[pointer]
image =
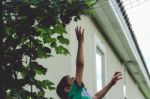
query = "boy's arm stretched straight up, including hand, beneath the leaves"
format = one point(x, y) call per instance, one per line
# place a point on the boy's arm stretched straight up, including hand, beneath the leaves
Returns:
point(80, 57)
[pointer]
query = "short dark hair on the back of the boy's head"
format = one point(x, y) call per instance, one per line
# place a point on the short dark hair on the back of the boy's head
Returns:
point(60, 88)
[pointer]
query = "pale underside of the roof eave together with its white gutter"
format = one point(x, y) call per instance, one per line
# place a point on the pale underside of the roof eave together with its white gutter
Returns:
point(111, 20)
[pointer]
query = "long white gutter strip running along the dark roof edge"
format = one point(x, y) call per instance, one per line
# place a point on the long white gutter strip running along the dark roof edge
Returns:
point(129, 38)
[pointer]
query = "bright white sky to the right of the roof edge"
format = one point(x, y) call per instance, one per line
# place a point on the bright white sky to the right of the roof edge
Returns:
point(139, 17)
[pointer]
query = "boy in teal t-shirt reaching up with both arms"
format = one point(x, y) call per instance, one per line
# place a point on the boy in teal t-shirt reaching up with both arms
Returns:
point(73, 88)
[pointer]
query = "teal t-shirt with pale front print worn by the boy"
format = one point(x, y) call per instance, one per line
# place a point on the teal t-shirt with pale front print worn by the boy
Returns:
point(78, 92)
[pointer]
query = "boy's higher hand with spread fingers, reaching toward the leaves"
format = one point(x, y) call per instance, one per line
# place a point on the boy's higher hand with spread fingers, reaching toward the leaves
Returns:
point(79, 34)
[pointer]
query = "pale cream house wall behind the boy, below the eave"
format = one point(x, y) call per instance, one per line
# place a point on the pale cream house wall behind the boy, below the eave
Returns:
point(59, 65)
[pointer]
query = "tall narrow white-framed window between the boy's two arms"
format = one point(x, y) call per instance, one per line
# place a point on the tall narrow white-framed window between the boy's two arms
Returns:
point(99, 63)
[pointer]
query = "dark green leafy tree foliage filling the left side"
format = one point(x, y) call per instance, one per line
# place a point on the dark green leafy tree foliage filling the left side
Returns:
point(30, 30)
